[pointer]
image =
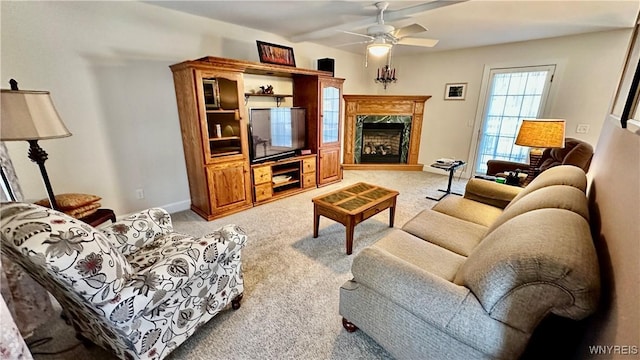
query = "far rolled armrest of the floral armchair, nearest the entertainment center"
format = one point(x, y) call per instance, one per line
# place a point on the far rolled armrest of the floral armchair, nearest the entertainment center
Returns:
point(136, 231)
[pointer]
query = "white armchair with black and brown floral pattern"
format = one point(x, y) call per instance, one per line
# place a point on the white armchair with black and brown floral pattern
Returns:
point(135, 287)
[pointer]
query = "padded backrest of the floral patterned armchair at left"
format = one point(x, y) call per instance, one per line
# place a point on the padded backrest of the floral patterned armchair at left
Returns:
point(74, 254)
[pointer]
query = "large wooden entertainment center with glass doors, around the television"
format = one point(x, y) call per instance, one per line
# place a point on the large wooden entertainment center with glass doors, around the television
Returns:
point(212, 107)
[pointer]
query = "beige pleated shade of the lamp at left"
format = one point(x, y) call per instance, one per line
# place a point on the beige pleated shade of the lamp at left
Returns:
point(29, 115)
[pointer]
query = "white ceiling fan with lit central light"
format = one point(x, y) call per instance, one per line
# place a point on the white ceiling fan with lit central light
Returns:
point(382, 37)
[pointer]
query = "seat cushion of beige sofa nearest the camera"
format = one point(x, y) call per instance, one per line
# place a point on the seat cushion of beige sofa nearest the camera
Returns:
point(425, 255)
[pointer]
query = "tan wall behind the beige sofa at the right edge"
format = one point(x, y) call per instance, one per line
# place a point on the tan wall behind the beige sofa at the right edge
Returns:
point(614, 201)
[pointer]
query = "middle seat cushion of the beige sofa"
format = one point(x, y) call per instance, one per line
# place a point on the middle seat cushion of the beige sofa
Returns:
point(446, 231)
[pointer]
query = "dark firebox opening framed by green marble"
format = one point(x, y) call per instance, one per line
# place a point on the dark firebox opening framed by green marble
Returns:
point(381, 143)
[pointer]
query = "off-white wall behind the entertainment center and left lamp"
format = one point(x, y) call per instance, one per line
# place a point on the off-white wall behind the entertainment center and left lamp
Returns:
point(107, 67)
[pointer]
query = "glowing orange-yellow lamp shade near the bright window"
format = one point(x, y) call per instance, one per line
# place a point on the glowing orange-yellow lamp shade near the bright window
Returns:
point(541, 133)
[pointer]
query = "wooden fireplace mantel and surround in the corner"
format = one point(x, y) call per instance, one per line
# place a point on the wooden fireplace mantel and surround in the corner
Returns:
point(412, 105)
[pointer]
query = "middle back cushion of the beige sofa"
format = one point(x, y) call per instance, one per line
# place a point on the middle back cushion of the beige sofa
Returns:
point(556, 196)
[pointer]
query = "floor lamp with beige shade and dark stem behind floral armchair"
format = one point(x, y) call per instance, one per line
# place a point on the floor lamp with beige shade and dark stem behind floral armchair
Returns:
point(30, 115)
